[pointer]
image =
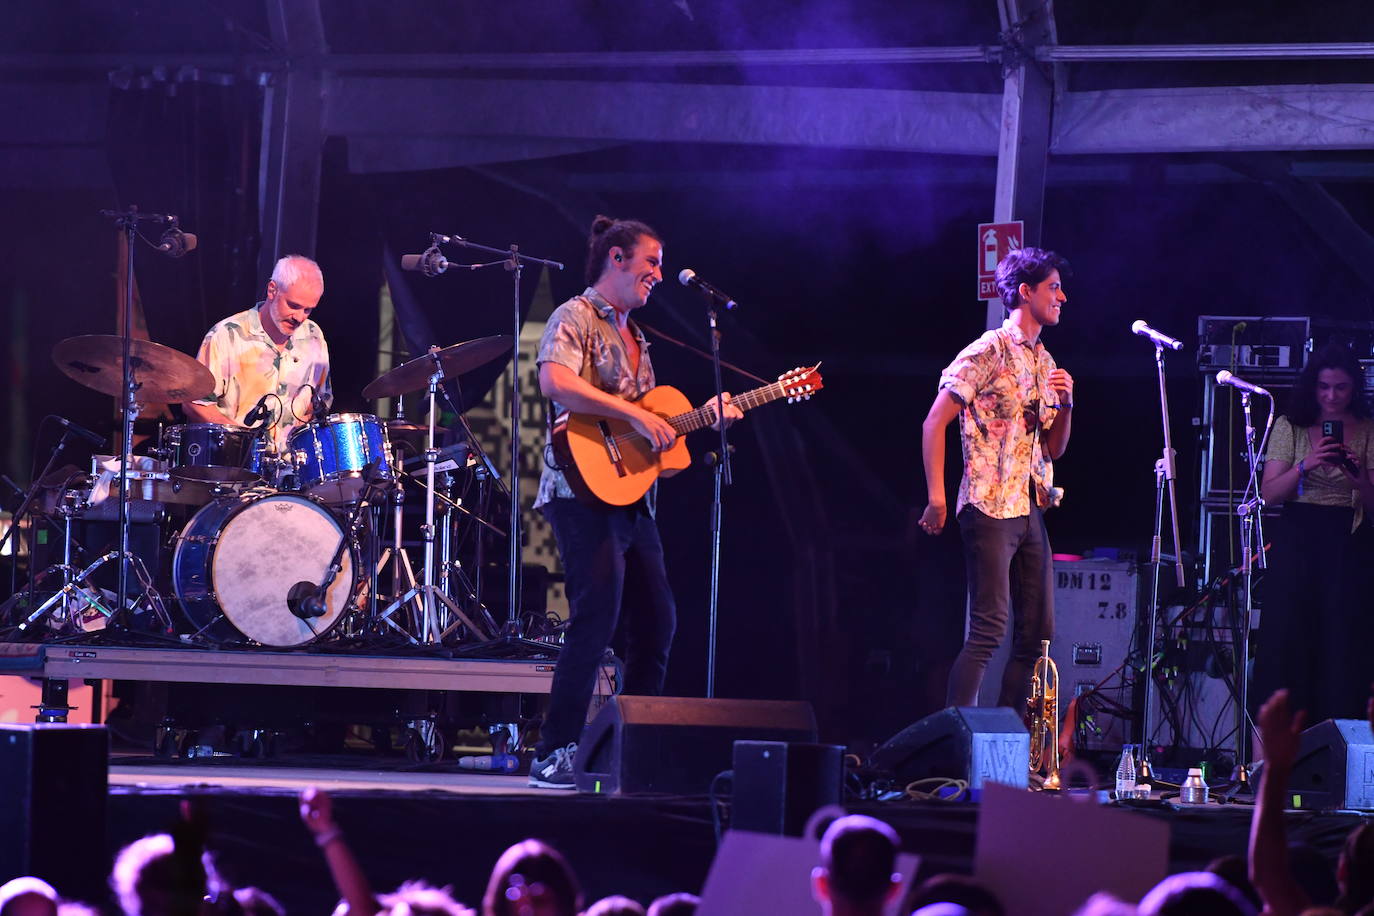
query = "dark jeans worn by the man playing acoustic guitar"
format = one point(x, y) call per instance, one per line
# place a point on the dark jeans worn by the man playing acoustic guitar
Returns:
point(600, 545)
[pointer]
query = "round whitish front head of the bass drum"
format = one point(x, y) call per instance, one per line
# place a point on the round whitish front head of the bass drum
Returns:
point(267, 549)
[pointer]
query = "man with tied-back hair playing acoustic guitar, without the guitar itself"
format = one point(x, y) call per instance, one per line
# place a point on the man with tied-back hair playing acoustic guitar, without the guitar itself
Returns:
point(594, 360)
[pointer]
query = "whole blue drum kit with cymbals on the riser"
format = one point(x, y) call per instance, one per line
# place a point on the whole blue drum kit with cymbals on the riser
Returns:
point(277, 549)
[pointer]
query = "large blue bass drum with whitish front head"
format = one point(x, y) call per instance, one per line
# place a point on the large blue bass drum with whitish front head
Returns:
point(240, 558)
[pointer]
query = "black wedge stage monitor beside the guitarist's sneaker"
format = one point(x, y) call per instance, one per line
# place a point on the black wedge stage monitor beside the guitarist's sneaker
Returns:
point(675, 744)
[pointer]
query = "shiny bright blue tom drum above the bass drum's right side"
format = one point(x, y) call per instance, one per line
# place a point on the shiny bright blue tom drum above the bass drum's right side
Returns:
point(330, 457)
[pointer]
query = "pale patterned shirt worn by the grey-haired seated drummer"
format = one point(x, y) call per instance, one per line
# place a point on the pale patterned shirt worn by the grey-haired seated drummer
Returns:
point(247, 366)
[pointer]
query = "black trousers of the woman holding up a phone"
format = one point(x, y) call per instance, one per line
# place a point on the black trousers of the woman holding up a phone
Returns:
point(1316, 615)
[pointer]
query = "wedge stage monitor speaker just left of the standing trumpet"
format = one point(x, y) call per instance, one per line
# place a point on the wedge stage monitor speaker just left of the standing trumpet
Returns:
point(976, 744)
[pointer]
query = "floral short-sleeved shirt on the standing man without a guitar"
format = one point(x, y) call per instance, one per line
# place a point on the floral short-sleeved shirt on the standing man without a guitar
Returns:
point(1008, 409)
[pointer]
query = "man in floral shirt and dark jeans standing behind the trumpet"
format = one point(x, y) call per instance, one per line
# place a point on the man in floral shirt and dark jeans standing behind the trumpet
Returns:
point(1016, 409)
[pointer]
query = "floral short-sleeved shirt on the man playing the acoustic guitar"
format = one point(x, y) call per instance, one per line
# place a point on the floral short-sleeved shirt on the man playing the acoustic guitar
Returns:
point(582, 336)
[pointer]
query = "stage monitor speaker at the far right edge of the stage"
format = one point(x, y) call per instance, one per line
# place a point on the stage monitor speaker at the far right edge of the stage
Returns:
point(1335, 767)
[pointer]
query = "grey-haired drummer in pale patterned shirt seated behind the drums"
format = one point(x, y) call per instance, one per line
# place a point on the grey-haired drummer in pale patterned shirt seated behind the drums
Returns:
point(271, 358)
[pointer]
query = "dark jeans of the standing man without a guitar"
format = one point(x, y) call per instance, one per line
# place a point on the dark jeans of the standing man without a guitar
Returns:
point(1011, 568)
